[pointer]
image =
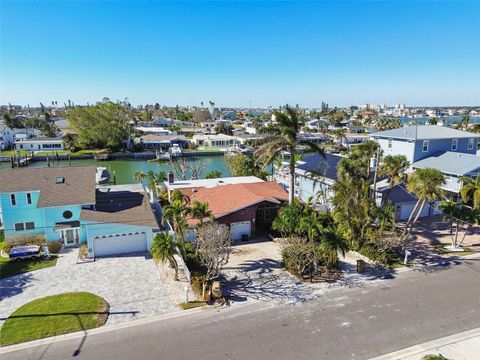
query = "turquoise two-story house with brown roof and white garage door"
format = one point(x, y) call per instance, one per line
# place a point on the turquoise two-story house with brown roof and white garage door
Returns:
point(65, 204)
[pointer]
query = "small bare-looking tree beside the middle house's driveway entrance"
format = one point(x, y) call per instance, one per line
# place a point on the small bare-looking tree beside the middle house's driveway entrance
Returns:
point(213, 248)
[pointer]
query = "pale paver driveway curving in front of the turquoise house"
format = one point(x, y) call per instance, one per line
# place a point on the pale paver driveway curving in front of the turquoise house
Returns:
point(130, 284)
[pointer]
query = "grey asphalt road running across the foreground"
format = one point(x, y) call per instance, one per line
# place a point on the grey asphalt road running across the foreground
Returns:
point(348, 323)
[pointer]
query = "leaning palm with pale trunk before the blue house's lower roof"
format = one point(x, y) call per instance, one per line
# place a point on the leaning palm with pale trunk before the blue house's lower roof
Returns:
point(425, 184)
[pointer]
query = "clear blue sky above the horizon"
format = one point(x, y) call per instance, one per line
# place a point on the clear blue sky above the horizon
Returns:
point(241, 53)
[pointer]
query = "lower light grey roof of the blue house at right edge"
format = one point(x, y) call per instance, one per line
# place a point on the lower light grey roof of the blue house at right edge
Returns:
point(451, 163)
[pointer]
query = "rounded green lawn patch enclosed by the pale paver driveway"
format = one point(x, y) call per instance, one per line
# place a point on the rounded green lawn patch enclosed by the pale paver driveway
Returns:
point(54, 315)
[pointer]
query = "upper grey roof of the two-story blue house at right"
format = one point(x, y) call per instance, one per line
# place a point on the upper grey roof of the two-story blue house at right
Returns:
point(421, 132)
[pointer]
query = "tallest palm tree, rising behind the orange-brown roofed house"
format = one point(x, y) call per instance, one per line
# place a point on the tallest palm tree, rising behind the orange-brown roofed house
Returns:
point(283, 137)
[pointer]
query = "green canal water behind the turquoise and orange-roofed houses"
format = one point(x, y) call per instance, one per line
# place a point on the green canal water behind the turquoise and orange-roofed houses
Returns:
point(124, 169)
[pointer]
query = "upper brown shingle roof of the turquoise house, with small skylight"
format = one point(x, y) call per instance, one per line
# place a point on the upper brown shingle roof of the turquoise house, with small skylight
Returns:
point(78, 188)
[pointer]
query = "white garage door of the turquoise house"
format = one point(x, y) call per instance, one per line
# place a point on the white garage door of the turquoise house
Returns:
point(120, 243)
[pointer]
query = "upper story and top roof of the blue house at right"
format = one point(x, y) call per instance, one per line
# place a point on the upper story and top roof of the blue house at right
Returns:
point(418, 142)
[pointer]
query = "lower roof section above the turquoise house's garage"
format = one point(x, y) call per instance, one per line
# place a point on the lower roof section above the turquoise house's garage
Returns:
point(122, 207)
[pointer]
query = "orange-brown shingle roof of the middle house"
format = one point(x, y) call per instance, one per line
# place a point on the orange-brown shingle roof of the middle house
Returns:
point(225, 199)
